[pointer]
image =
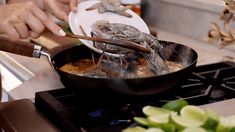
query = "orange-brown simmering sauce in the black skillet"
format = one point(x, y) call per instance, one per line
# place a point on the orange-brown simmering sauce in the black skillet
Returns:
point(88, 67)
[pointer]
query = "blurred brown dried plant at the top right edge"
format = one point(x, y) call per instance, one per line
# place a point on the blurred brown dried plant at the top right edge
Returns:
point(227, 36)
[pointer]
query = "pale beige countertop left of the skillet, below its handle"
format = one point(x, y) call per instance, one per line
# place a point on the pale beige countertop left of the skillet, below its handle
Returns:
point(45, 78)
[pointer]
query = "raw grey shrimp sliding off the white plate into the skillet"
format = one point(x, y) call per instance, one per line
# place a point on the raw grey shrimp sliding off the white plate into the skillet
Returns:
point(108, 30)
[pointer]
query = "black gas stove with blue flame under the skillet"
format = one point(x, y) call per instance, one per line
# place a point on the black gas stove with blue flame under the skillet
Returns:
point(109, 111)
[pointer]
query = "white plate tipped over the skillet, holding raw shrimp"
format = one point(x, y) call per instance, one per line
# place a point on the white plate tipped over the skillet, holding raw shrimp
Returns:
point(85, 19)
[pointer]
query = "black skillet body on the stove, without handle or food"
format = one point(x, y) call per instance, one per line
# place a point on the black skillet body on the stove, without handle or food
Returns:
point(138, 86)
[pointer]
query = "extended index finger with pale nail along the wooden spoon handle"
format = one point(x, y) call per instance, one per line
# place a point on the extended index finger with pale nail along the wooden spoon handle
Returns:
point(53, 27)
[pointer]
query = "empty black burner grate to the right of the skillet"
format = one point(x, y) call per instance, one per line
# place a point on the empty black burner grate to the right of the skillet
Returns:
point(214, 84)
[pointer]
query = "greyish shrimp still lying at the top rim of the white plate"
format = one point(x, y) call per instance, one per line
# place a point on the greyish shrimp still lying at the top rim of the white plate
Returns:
point(110, 6)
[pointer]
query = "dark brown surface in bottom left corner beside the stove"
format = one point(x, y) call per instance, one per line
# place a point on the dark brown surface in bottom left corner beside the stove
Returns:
point(22, 116)
